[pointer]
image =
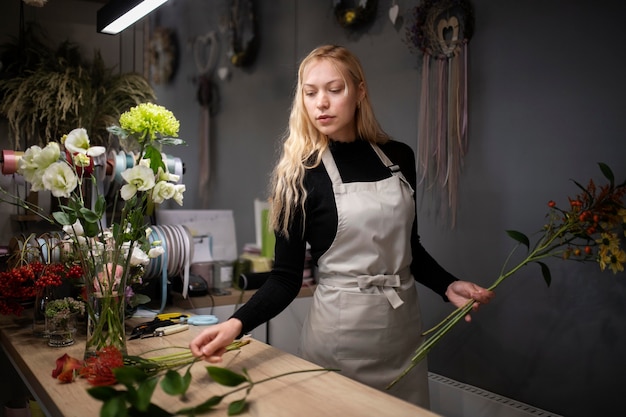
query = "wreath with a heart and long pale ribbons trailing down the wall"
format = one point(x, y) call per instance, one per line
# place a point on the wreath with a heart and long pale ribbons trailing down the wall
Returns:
point(441, 32)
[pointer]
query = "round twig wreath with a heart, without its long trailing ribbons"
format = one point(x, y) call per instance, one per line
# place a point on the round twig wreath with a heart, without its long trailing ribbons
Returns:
point(441, 26)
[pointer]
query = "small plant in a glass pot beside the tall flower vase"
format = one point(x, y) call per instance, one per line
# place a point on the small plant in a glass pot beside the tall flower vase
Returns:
point(61, 315)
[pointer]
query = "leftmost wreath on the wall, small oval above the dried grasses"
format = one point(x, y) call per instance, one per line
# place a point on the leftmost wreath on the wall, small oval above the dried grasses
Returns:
point(163, 55)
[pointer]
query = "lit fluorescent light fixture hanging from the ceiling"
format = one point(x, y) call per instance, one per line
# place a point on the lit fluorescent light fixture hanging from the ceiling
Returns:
point(117, 15)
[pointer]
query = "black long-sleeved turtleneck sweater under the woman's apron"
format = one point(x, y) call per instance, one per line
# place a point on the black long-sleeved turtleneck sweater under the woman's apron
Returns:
point(356, 162)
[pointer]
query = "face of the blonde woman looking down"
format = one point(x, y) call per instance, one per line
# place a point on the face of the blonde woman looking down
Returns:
point(329, 102)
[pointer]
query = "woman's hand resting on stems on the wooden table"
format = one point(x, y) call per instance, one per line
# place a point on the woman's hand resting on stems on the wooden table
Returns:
point(211, 343)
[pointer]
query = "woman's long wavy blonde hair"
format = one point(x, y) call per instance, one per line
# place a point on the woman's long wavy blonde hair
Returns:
point(304, 144)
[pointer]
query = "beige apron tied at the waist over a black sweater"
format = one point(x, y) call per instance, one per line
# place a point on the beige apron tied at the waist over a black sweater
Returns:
point(365, 317)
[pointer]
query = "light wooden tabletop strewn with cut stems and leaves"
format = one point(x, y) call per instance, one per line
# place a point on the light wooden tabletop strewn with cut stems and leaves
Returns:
point(302, 395)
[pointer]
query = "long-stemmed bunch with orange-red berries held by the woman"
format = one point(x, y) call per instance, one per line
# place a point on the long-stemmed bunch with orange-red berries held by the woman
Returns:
point(590, 229)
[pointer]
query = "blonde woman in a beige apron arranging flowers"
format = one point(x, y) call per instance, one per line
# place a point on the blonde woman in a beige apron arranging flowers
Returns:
point(346, 188)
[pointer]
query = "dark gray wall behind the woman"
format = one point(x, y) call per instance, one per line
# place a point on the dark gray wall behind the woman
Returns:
point(546, 104)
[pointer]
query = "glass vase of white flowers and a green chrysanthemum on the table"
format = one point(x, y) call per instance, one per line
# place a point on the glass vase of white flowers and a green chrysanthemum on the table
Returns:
point(107, 253)
